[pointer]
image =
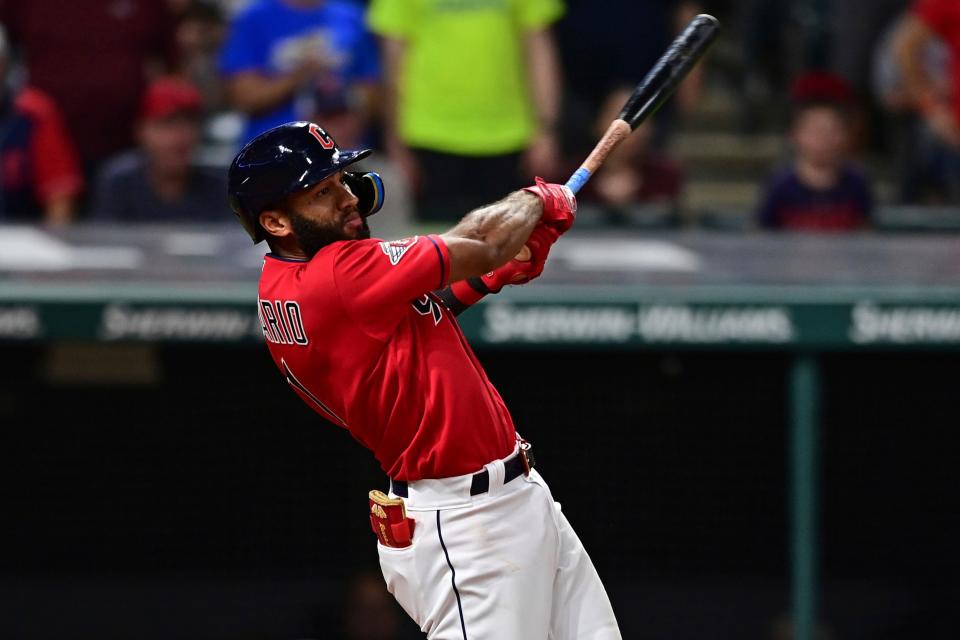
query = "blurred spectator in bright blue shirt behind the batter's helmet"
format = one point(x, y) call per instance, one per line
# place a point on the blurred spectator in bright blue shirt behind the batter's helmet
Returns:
point(290, 60)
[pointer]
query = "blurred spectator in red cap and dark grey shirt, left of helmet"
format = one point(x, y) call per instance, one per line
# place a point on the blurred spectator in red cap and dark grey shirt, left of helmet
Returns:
point(158, 181)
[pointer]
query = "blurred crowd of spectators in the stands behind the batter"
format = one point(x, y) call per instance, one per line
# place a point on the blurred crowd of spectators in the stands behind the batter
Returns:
point(130, 110)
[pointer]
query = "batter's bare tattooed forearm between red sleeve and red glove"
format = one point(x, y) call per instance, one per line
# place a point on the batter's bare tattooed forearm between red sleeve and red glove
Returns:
point(489, 237)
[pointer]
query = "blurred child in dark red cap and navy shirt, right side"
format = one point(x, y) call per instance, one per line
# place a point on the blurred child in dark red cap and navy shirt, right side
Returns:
point(821, 189)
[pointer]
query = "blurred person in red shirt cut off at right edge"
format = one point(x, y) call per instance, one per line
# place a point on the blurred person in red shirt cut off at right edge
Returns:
point(929, 20)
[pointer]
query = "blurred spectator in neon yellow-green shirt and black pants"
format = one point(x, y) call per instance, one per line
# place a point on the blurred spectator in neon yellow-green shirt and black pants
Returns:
point(474, 97)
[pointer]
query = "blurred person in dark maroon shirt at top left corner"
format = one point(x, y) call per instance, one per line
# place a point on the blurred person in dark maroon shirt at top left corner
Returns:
point(93, 58)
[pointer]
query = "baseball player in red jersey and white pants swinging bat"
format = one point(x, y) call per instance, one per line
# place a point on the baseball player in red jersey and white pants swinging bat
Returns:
point(470, 540)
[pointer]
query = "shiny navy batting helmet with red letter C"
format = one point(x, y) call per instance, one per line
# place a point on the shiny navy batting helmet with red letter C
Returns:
point(286, 159)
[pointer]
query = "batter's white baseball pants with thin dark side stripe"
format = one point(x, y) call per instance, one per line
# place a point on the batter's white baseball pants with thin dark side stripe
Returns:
point(502, 565)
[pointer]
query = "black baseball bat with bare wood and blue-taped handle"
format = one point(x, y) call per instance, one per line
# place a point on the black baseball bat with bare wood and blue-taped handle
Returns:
point(656, 88)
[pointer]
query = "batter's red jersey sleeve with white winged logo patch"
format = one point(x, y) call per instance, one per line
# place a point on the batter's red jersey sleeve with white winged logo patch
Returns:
point(377, 280)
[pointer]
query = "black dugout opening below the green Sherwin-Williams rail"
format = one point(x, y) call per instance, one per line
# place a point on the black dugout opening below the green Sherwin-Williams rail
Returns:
point(211, 503)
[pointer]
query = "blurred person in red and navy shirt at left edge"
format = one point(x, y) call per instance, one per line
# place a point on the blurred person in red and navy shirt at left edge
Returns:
point(40, 176)
